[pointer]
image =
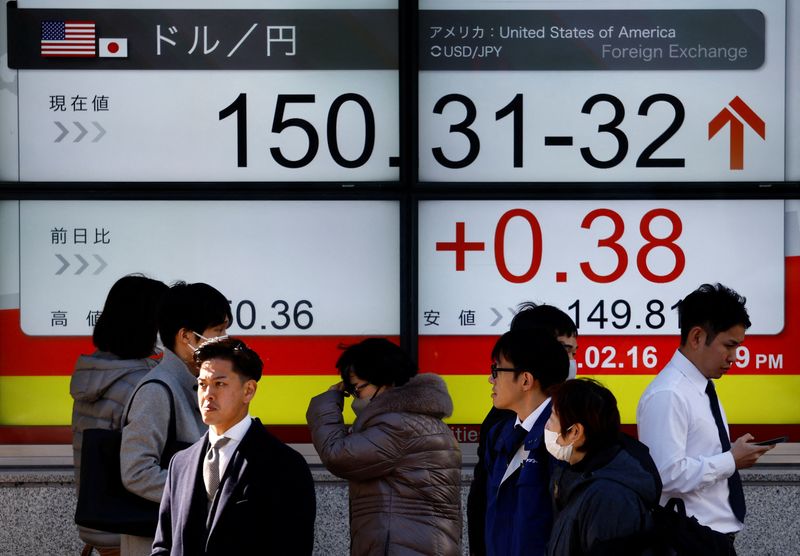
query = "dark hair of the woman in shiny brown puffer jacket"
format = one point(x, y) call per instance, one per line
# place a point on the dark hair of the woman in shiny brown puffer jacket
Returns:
point(378, 361)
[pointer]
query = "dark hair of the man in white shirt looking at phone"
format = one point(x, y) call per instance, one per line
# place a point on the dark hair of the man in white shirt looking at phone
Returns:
point(713, 308)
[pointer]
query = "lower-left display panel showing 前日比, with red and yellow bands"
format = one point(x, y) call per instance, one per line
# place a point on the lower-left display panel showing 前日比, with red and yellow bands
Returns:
point(303, 277)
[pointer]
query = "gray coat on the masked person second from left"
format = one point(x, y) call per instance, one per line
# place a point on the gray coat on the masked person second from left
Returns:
point(145, 432)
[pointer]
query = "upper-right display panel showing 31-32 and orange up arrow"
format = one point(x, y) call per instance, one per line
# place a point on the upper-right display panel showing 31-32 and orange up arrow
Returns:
point(608, 91)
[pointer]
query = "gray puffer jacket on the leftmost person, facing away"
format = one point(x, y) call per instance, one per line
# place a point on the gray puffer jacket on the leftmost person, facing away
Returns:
point(100, 387)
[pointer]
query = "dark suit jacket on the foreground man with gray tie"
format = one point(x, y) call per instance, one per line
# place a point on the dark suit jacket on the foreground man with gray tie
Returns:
point(265, 505)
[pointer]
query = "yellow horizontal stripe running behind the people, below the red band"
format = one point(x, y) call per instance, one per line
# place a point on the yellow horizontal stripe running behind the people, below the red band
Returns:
point(282, 400)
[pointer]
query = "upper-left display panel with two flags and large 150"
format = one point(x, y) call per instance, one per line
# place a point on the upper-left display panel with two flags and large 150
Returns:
point(198, 92)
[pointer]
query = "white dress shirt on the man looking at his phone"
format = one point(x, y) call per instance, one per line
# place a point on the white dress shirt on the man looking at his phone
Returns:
point(675, 422)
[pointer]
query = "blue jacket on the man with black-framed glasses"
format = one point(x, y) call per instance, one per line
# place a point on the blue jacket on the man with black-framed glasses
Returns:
point(519, 513)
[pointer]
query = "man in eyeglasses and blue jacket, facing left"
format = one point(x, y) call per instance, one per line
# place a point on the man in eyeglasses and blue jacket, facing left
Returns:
point(518, 509)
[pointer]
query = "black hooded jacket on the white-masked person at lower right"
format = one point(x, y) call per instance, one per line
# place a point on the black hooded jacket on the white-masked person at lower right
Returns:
point(604, 496)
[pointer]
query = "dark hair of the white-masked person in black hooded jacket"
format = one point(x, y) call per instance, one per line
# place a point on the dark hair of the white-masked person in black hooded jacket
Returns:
point(586, 401)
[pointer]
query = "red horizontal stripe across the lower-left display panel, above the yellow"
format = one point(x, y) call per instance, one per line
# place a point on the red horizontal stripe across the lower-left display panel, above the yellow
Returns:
point(23, 355)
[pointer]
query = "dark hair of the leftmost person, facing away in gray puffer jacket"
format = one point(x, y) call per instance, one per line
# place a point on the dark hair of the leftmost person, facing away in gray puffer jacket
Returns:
point(128, 324)
